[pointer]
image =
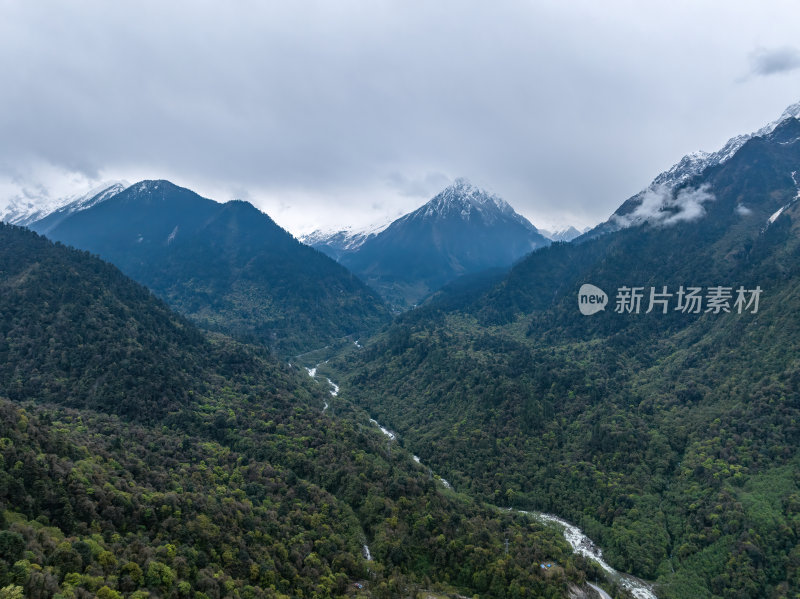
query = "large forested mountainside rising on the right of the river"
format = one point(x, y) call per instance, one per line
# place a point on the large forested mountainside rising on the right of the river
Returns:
point(671, 438)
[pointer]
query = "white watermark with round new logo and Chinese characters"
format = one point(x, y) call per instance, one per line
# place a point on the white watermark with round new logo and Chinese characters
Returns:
point(718, 299)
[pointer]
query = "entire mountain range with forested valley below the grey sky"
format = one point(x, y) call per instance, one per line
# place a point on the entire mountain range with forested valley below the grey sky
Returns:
point(642, 381)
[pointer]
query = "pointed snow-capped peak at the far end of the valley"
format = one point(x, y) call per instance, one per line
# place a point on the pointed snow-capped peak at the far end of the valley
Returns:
point(461, 231)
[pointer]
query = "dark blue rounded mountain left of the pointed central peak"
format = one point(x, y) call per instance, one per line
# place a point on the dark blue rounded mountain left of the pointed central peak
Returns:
point(228, 266)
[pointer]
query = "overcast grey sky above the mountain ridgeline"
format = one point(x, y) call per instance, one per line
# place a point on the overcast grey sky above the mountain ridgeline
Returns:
point(338, 112)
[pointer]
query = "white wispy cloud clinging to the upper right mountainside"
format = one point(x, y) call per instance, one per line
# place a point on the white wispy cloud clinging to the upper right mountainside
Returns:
point(661, 206)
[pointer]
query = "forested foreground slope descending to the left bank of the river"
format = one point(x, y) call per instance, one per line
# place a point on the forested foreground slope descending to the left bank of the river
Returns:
point(243, 485)
